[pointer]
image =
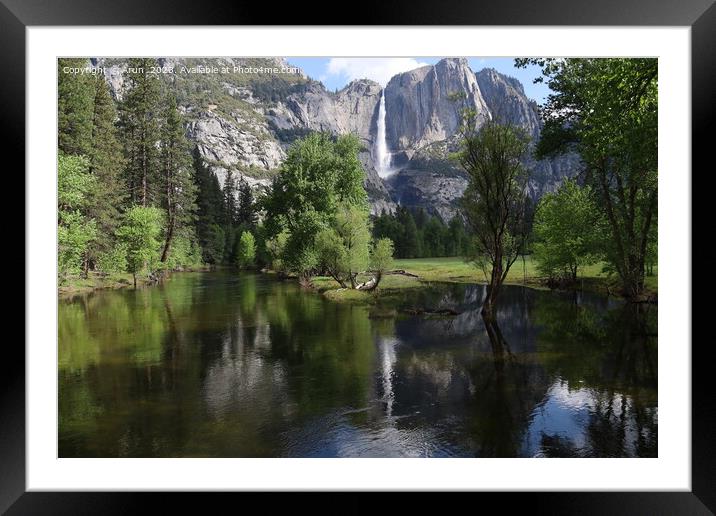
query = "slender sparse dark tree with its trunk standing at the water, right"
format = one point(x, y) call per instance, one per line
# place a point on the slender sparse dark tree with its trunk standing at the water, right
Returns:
point(494, 202)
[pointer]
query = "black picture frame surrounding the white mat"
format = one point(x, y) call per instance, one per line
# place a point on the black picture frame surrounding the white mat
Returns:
point(700, 15)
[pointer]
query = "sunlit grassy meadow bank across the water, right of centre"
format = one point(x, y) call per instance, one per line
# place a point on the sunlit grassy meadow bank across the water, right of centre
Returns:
point(455, 270)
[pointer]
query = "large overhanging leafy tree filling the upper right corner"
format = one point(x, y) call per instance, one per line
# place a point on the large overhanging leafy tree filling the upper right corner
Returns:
point(607, 110)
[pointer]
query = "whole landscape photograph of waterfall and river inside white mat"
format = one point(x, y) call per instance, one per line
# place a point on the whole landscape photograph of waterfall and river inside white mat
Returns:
point(345, 257)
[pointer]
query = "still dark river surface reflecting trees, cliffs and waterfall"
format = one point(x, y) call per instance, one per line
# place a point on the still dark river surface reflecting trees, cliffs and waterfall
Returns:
point(227, 365)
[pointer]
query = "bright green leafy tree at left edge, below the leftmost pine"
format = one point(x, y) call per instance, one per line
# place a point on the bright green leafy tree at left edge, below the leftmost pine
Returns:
point(75, 230)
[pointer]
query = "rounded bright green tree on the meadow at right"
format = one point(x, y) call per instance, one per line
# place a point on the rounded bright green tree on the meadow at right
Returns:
point(567, 231)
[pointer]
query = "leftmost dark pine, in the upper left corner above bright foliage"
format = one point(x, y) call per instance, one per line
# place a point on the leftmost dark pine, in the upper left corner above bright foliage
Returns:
point(74, 107)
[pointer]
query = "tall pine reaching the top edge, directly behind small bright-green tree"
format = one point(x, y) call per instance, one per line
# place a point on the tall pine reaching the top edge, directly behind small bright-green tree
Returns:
point(140, 121)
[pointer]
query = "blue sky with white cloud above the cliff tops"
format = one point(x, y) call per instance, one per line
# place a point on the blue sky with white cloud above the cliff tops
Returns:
point(335, 73)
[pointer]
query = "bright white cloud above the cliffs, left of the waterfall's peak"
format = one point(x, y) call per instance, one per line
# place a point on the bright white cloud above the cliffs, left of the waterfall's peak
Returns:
point(375, 68)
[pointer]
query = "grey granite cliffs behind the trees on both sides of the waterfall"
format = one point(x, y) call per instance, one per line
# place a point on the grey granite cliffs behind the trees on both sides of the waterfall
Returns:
point(245, 124)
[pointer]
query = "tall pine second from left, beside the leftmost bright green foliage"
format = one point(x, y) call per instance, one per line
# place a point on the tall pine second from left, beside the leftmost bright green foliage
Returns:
point(105, 164)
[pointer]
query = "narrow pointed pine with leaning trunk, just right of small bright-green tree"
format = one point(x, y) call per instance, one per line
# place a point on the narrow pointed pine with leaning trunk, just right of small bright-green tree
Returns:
point(178, 191)
